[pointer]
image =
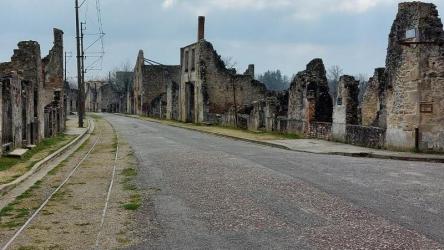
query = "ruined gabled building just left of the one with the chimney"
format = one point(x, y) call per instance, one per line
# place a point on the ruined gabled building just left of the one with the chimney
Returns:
point(150, 86)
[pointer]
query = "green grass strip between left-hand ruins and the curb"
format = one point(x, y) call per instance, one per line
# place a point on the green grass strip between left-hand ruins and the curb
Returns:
point(8, 162)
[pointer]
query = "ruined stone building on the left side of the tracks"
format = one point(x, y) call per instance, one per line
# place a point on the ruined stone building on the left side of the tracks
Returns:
point(32, 104)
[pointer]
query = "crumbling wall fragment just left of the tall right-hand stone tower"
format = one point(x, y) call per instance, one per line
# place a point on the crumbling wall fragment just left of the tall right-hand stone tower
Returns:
point(373, 106)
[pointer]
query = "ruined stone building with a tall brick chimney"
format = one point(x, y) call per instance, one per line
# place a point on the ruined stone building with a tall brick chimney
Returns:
point(207, 88)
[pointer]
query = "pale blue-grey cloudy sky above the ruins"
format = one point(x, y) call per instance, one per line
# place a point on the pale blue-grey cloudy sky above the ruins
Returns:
point(272, 34)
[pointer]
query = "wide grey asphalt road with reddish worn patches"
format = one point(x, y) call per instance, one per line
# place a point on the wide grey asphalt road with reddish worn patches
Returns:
point(209, 192)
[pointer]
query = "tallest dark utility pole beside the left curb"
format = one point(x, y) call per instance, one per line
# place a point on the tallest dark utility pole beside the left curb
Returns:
point(80, 83)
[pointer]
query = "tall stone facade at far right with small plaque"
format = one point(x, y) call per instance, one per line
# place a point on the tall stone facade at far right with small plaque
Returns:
point(415, 71)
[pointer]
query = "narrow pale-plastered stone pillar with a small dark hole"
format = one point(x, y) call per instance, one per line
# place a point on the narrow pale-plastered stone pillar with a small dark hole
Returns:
point(346, 106)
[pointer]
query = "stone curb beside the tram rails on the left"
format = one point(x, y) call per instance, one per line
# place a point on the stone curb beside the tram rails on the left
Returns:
point(9, 186)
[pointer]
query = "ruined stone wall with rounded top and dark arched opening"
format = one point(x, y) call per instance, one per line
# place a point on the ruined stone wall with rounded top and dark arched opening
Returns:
point(309, 99)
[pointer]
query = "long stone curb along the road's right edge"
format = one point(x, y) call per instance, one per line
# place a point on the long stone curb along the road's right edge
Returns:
point(355, 155)
